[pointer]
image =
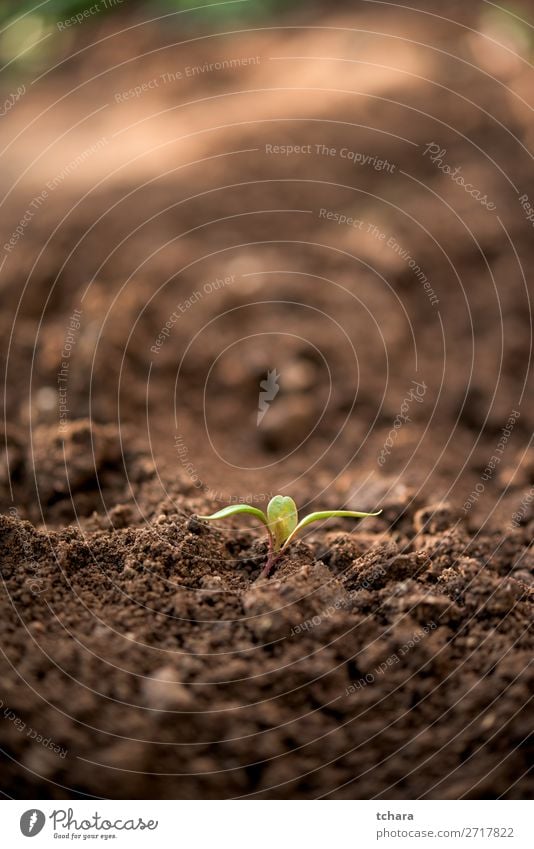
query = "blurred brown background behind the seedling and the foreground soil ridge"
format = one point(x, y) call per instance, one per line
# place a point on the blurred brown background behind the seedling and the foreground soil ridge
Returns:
point(326, 197)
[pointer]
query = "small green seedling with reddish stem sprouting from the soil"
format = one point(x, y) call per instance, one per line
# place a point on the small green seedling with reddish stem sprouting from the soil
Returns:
point(282, 523)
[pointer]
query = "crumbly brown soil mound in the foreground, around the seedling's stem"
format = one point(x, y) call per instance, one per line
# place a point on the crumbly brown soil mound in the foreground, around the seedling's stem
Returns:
point(162, 666)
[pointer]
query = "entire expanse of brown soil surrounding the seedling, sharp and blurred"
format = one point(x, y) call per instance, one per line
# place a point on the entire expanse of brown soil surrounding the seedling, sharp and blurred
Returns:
point(391, 658)
